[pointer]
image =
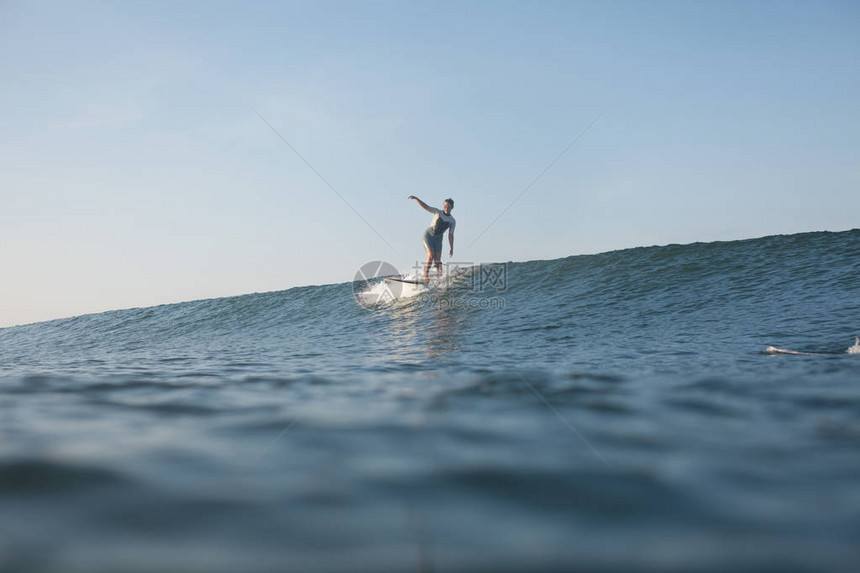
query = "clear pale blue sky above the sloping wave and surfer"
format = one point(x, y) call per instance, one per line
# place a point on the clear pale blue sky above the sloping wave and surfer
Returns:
point(137, 167)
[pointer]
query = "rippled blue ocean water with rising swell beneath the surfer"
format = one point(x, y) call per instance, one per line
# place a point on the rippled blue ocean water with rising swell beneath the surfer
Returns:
point(688, 407)
